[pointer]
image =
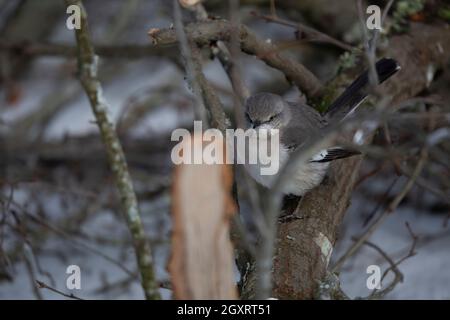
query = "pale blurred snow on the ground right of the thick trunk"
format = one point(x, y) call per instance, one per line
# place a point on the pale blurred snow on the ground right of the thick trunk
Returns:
point(425, 274)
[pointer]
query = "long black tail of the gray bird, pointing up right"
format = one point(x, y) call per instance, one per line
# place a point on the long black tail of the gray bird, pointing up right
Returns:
point(359, 89)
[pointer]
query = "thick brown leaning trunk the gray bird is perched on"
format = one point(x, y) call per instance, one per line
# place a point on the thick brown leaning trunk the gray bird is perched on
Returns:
point(304, 260)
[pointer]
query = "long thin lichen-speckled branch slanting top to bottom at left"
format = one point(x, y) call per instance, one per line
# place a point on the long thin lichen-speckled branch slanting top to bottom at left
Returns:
point(88, 63)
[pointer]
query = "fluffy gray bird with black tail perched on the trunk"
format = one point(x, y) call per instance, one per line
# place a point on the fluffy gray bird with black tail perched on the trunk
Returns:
point(298, 122)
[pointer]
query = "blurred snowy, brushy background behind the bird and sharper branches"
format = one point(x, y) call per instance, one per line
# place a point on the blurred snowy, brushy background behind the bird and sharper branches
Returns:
point(59, 206)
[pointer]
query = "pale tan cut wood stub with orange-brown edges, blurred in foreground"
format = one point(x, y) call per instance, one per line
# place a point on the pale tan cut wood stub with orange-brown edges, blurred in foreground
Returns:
point(202, 262)
